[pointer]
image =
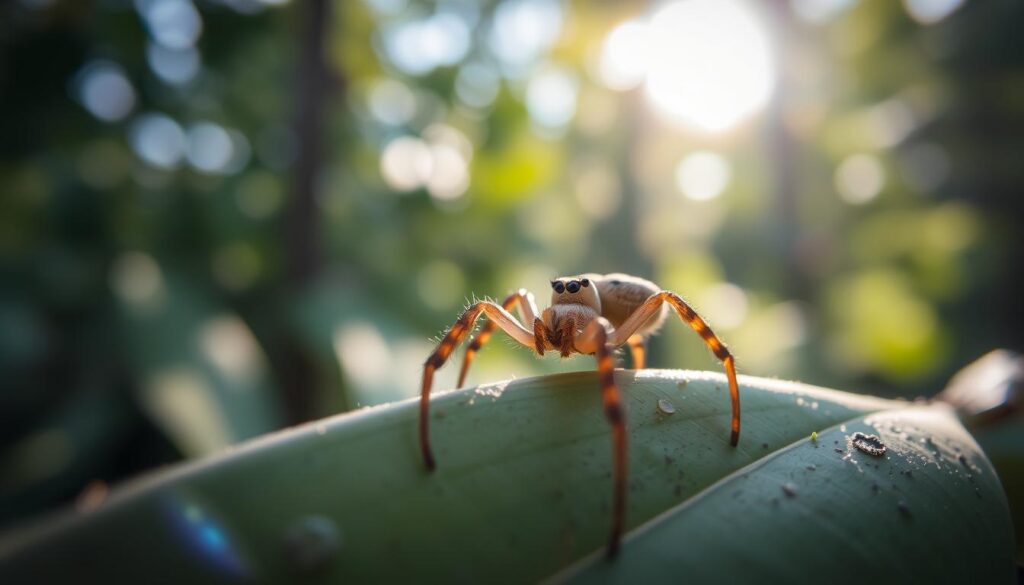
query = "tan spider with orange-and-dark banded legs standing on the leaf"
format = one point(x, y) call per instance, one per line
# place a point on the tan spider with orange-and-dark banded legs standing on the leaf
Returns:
point(592, 315)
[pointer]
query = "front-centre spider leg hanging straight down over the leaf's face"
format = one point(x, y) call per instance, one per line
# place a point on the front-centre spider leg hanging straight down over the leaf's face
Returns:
point(594, 340)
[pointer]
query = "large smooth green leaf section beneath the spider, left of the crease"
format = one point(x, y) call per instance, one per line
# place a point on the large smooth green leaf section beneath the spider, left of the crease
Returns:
point(524, 475)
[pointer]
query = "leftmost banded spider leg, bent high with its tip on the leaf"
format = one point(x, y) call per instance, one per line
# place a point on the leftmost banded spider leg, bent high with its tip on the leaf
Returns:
point(452, 340)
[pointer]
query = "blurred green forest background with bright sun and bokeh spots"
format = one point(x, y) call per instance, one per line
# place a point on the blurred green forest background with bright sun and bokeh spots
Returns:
point(222, 218)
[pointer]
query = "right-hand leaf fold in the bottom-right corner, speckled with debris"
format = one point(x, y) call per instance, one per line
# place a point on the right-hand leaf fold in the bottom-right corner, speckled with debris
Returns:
point(930, 511)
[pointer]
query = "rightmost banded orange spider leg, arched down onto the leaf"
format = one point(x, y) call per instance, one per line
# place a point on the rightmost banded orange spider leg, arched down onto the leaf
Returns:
point(691, 317)
